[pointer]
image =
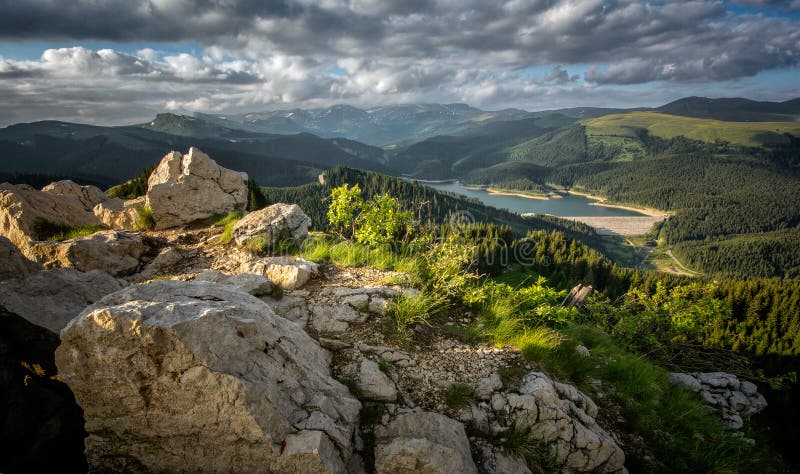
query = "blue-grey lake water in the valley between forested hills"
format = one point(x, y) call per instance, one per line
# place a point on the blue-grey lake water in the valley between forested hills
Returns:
point(568, 205)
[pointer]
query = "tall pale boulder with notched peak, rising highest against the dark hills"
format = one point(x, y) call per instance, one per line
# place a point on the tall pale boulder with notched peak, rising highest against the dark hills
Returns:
point(187, 188)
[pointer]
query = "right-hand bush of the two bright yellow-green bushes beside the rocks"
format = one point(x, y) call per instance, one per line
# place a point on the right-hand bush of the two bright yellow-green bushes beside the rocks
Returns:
point(381, 220)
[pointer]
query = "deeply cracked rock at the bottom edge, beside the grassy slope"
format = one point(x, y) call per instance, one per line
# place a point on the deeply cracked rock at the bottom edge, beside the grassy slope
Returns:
point(563, 420)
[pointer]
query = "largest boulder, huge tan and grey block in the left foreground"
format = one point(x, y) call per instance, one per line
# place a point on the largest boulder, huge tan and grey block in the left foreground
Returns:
point(198, 377)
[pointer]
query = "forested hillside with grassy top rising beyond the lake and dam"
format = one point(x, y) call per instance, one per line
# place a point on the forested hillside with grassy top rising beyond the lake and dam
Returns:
point(734, 188)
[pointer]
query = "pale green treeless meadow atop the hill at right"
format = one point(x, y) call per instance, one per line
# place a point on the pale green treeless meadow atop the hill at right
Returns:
point(670, 126)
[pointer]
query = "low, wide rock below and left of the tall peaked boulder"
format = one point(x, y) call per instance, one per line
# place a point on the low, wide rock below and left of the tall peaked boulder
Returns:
point(115, 252)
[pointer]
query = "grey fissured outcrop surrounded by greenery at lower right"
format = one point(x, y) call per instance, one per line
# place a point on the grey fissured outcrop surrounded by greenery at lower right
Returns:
point(733, 400)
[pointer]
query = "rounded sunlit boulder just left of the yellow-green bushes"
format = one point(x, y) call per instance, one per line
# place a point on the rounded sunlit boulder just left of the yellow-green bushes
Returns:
point(275, 223)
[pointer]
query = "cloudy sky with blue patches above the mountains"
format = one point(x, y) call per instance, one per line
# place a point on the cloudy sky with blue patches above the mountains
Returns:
point(123, 61)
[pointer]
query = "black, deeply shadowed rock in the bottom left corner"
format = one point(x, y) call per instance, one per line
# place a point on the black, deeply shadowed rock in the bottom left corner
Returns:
point(41, 426)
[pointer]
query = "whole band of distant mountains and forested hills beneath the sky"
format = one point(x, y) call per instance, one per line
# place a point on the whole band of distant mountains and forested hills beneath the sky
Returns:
point(729, 169)
